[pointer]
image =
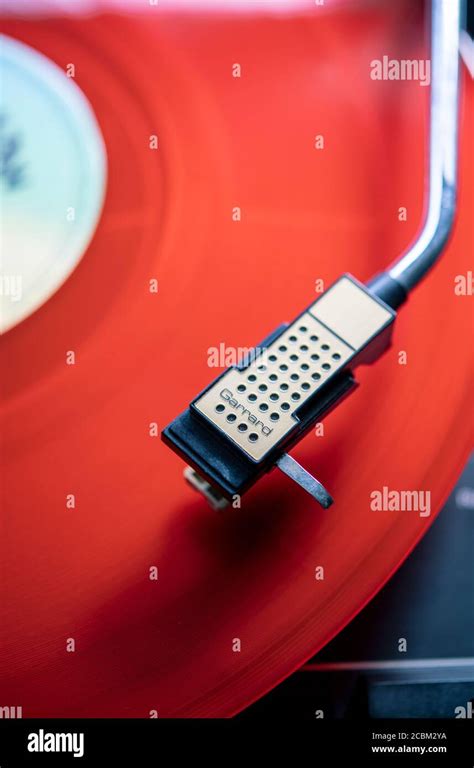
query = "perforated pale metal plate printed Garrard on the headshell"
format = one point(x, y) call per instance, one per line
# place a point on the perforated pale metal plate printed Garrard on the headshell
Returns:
point(256, 407)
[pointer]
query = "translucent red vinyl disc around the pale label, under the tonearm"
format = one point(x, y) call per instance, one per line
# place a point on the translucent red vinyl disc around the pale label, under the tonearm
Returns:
point(82, 431)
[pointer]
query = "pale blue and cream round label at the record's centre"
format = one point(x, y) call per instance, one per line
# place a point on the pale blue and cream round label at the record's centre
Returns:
point(53, 172)
